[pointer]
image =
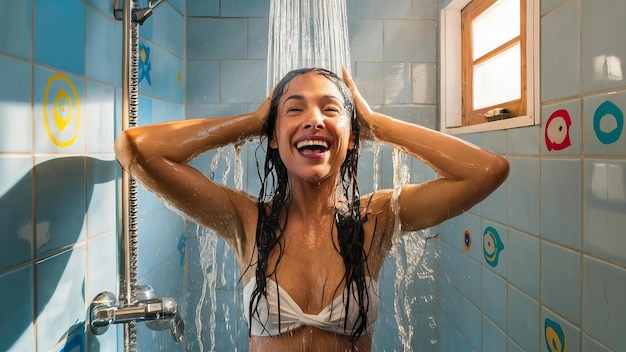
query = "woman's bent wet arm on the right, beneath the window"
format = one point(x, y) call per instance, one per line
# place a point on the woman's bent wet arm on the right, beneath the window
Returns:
point(468, 174)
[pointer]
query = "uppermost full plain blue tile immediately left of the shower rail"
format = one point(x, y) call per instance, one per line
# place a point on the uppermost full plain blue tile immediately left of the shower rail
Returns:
point(103, 50)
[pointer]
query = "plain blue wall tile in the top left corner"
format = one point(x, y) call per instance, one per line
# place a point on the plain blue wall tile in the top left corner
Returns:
point(16, 19)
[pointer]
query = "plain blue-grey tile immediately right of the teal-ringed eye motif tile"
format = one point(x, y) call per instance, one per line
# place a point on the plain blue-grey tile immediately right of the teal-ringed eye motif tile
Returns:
point(524, 261)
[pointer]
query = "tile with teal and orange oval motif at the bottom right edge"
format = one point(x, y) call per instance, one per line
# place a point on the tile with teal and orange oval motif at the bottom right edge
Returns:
point(557, 334)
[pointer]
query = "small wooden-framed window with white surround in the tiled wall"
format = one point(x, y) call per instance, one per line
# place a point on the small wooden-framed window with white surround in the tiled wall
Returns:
point(490, 68)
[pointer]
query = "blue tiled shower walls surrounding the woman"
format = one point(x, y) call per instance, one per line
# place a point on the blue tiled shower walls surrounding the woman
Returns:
point(560, 213)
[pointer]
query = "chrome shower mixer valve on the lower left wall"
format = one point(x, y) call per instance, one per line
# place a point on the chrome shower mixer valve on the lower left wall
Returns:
point(159, 313)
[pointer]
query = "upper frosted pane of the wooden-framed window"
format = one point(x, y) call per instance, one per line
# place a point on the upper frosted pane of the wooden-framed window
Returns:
point(495, 26)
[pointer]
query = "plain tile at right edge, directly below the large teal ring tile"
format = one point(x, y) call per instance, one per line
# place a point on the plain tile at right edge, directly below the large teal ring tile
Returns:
point(604, 209)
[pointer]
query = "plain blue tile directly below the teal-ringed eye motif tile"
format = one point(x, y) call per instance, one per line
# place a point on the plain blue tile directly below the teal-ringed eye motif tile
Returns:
point(494, 299)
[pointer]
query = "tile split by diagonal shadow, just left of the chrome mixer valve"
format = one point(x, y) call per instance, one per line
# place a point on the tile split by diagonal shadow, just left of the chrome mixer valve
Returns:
point(59, 296)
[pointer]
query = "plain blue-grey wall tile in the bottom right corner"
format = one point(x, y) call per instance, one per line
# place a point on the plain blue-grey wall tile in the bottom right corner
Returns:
point(604, 312)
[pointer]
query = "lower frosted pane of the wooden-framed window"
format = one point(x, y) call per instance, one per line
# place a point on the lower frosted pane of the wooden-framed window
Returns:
point(497, 80)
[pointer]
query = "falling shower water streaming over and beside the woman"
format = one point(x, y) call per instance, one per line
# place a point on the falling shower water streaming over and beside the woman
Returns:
point(304, 33)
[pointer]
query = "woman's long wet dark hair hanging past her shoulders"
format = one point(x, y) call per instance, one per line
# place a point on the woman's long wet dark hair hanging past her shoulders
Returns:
point(274, 197)
